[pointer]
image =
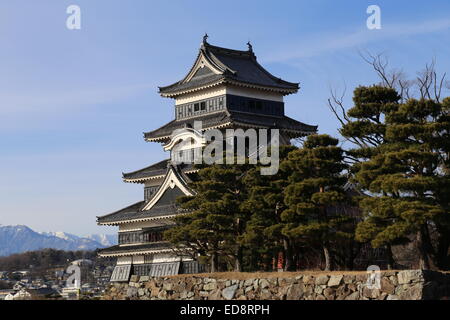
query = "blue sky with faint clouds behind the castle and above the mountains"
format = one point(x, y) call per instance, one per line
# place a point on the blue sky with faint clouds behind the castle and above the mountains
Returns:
point(74, 103)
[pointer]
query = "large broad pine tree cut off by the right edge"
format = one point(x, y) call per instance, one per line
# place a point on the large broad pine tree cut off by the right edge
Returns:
point(406, 175)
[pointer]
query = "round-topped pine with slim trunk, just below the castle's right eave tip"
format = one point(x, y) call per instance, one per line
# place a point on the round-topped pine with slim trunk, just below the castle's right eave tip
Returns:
point(315, 185)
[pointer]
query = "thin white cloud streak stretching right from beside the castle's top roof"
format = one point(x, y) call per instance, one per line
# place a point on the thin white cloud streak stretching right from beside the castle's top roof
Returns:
point(324, 43)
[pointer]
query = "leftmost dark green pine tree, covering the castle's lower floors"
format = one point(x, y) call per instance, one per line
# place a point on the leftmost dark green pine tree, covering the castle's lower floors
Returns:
point(215, 222)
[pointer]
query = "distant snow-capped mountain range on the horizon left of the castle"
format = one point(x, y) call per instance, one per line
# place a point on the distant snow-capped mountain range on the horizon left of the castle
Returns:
point(17, 239)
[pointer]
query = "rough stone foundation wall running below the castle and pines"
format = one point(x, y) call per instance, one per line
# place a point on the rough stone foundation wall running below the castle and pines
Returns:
point(393, 285)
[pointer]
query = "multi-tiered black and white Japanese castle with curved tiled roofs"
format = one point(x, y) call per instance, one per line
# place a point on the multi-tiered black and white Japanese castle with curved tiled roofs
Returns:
point(225, 88)
